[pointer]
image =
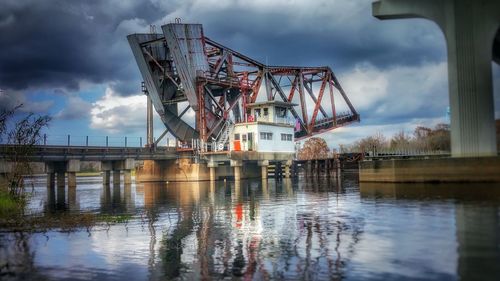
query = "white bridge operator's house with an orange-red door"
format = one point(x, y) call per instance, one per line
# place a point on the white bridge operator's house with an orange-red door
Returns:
point(268, 128)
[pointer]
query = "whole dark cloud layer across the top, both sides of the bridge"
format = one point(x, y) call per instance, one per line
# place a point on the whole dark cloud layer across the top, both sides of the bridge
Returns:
point(62, 43)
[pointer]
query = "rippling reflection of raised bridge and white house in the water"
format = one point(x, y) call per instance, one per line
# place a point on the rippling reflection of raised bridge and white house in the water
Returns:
point(232, 232)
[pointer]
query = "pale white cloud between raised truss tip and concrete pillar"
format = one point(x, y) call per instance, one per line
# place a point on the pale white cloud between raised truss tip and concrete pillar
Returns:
point(398, 94)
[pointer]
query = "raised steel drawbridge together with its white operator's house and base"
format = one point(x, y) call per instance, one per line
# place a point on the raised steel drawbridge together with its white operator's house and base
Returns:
point(229, 107)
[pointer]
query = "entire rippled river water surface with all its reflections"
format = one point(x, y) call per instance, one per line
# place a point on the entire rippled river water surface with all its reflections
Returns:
point(305, 229)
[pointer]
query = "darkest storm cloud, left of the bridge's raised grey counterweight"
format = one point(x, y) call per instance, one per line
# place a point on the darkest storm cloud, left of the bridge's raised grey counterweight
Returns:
point(62, 43)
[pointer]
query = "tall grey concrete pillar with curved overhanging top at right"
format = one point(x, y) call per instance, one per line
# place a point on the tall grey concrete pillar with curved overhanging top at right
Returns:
point(470, 28)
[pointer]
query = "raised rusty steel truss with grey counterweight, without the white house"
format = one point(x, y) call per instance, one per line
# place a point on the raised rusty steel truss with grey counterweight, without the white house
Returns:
point(183, 65)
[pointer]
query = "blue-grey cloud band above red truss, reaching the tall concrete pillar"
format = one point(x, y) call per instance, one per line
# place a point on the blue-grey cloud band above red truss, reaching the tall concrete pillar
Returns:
point(283, 38)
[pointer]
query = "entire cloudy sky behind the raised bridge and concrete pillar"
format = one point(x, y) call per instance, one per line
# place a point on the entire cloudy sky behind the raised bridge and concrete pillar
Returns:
point(71, 59)
